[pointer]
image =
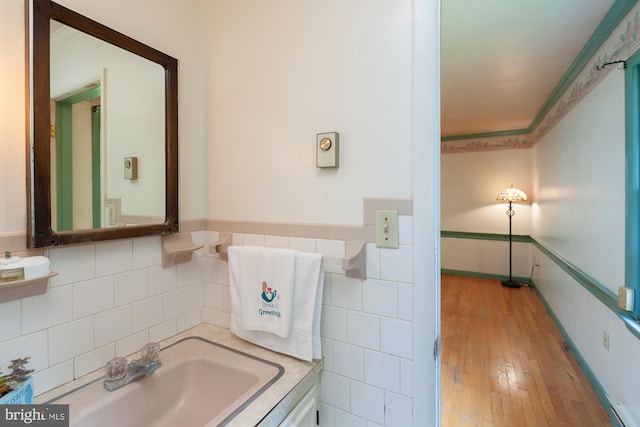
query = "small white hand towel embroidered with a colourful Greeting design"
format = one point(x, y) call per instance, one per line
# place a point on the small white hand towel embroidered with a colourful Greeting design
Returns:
point(267, 285)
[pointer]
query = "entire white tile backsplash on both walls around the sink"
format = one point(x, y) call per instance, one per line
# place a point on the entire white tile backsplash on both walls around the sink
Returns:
point(110, 298)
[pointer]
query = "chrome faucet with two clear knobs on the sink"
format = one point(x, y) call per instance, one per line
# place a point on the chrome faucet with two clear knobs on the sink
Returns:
point(119, 373)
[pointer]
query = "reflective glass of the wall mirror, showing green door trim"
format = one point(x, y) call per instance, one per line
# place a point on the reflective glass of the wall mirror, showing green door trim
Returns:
point(107, 107)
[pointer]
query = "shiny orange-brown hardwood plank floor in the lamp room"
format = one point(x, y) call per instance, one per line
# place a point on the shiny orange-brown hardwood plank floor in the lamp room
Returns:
point(504, 362)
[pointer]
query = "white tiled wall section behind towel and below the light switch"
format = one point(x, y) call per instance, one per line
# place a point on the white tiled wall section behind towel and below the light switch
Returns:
point(366, 328)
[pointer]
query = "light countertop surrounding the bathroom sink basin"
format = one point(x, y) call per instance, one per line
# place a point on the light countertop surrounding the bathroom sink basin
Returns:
point(268, 409)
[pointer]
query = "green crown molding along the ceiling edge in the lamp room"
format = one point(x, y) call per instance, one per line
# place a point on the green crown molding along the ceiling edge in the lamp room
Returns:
point(611, 20)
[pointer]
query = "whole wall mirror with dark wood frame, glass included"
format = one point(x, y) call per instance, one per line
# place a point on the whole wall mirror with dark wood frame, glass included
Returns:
point(102, 157)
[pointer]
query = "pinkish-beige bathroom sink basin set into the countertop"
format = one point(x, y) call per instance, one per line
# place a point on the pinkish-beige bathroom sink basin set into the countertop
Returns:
point(200, 383)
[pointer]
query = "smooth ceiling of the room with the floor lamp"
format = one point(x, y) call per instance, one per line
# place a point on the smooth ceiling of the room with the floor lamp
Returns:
point(502, 59)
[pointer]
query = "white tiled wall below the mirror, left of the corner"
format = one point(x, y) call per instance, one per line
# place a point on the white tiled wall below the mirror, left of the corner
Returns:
point(108, 299)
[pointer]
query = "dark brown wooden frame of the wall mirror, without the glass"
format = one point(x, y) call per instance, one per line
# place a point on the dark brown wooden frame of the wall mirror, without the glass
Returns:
point(40, 232)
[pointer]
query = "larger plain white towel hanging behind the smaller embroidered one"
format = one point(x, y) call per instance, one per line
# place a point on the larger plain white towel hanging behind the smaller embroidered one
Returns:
point(303, 341)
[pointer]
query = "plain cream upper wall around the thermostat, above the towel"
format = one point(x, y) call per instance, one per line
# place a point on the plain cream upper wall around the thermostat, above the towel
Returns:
point(278, 73)
